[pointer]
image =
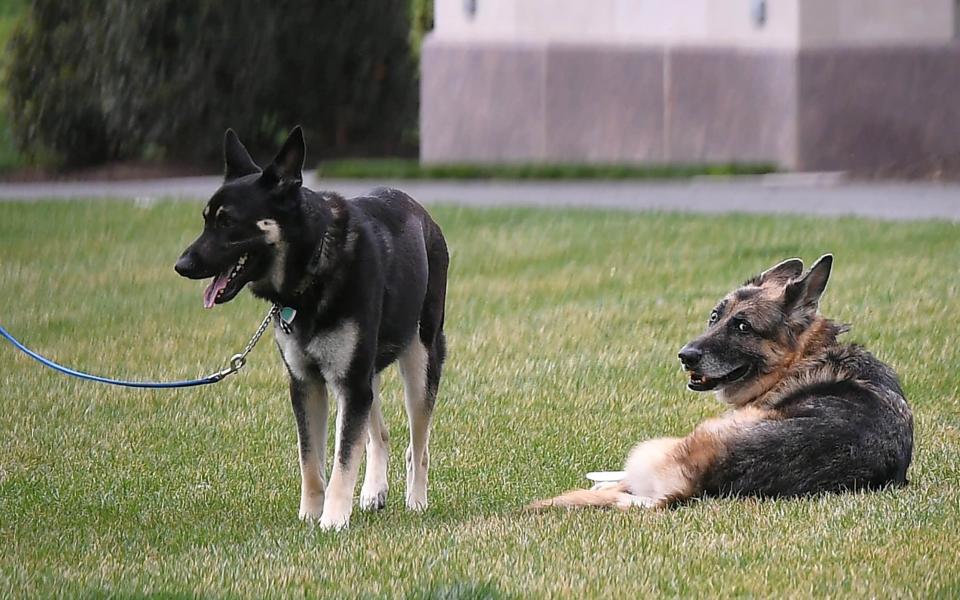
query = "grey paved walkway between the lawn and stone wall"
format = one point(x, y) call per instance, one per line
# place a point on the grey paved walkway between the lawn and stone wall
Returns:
point(778, 194)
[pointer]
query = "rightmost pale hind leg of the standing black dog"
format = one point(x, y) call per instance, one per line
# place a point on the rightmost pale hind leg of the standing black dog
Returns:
point(418, 394)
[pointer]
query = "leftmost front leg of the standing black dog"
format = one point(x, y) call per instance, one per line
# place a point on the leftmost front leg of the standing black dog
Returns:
point(309, 399)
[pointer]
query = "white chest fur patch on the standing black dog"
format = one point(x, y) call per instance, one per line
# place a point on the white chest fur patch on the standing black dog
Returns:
point(330, 351)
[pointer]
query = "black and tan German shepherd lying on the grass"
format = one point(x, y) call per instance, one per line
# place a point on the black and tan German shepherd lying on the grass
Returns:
point(807, 413)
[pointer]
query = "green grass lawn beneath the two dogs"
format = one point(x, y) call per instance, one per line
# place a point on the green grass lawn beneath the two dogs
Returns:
point(563, 329)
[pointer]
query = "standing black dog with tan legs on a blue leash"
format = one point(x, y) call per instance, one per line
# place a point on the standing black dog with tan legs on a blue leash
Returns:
point(362, 282)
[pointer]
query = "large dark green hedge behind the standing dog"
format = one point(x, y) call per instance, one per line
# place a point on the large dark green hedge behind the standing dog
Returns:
point(96, 80)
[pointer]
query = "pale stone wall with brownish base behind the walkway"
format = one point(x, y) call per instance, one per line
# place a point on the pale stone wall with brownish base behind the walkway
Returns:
point(520, 83)
